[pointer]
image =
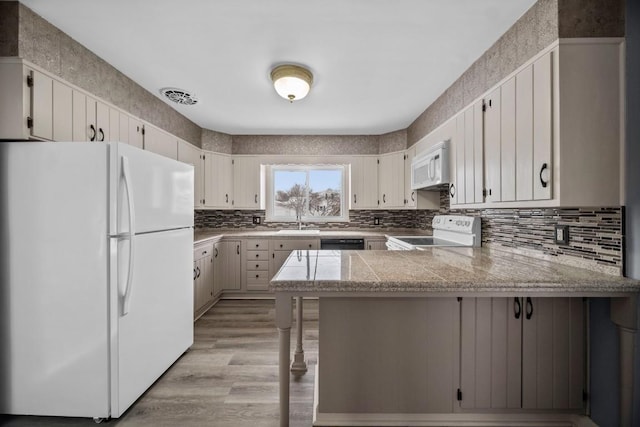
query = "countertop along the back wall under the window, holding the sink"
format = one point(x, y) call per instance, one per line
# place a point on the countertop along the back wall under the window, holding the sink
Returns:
point(201, 235)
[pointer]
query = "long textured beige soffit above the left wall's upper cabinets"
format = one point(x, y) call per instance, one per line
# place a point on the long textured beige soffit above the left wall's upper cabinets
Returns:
point(48, 47)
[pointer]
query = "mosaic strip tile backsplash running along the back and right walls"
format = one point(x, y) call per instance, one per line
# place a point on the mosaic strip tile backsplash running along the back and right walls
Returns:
point(596, 236)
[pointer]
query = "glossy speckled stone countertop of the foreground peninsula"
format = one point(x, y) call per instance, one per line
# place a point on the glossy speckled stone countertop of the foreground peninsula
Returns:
point(440, 270)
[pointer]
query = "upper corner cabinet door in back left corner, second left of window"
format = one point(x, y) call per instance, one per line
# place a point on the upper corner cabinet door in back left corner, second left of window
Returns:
point(218, 180)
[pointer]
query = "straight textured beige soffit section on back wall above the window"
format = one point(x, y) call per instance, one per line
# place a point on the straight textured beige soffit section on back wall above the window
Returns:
point(305, 144)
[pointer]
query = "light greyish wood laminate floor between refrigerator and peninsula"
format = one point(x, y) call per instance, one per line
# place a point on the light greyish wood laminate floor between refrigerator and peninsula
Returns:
point(229, 377)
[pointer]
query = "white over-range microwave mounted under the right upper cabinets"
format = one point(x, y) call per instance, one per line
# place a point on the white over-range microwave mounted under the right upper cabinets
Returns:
point(431, 169)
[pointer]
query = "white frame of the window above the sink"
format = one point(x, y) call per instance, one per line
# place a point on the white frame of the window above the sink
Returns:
point(270, 193)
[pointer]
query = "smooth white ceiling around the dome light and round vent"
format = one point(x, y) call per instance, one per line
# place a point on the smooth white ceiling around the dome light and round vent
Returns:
point(377, 64)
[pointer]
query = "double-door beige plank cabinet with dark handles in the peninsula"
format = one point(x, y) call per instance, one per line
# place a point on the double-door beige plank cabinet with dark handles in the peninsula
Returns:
point(522, 353)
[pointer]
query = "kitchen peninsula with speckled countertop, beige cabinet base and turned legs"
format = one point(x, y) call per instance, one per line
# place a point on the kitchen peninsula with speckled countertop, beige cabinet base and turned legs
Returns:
point(450, 335)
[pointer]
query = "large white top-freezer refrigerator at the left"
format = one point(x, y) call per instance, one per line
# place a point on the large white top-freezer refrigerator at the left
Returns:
point(96, 293)
